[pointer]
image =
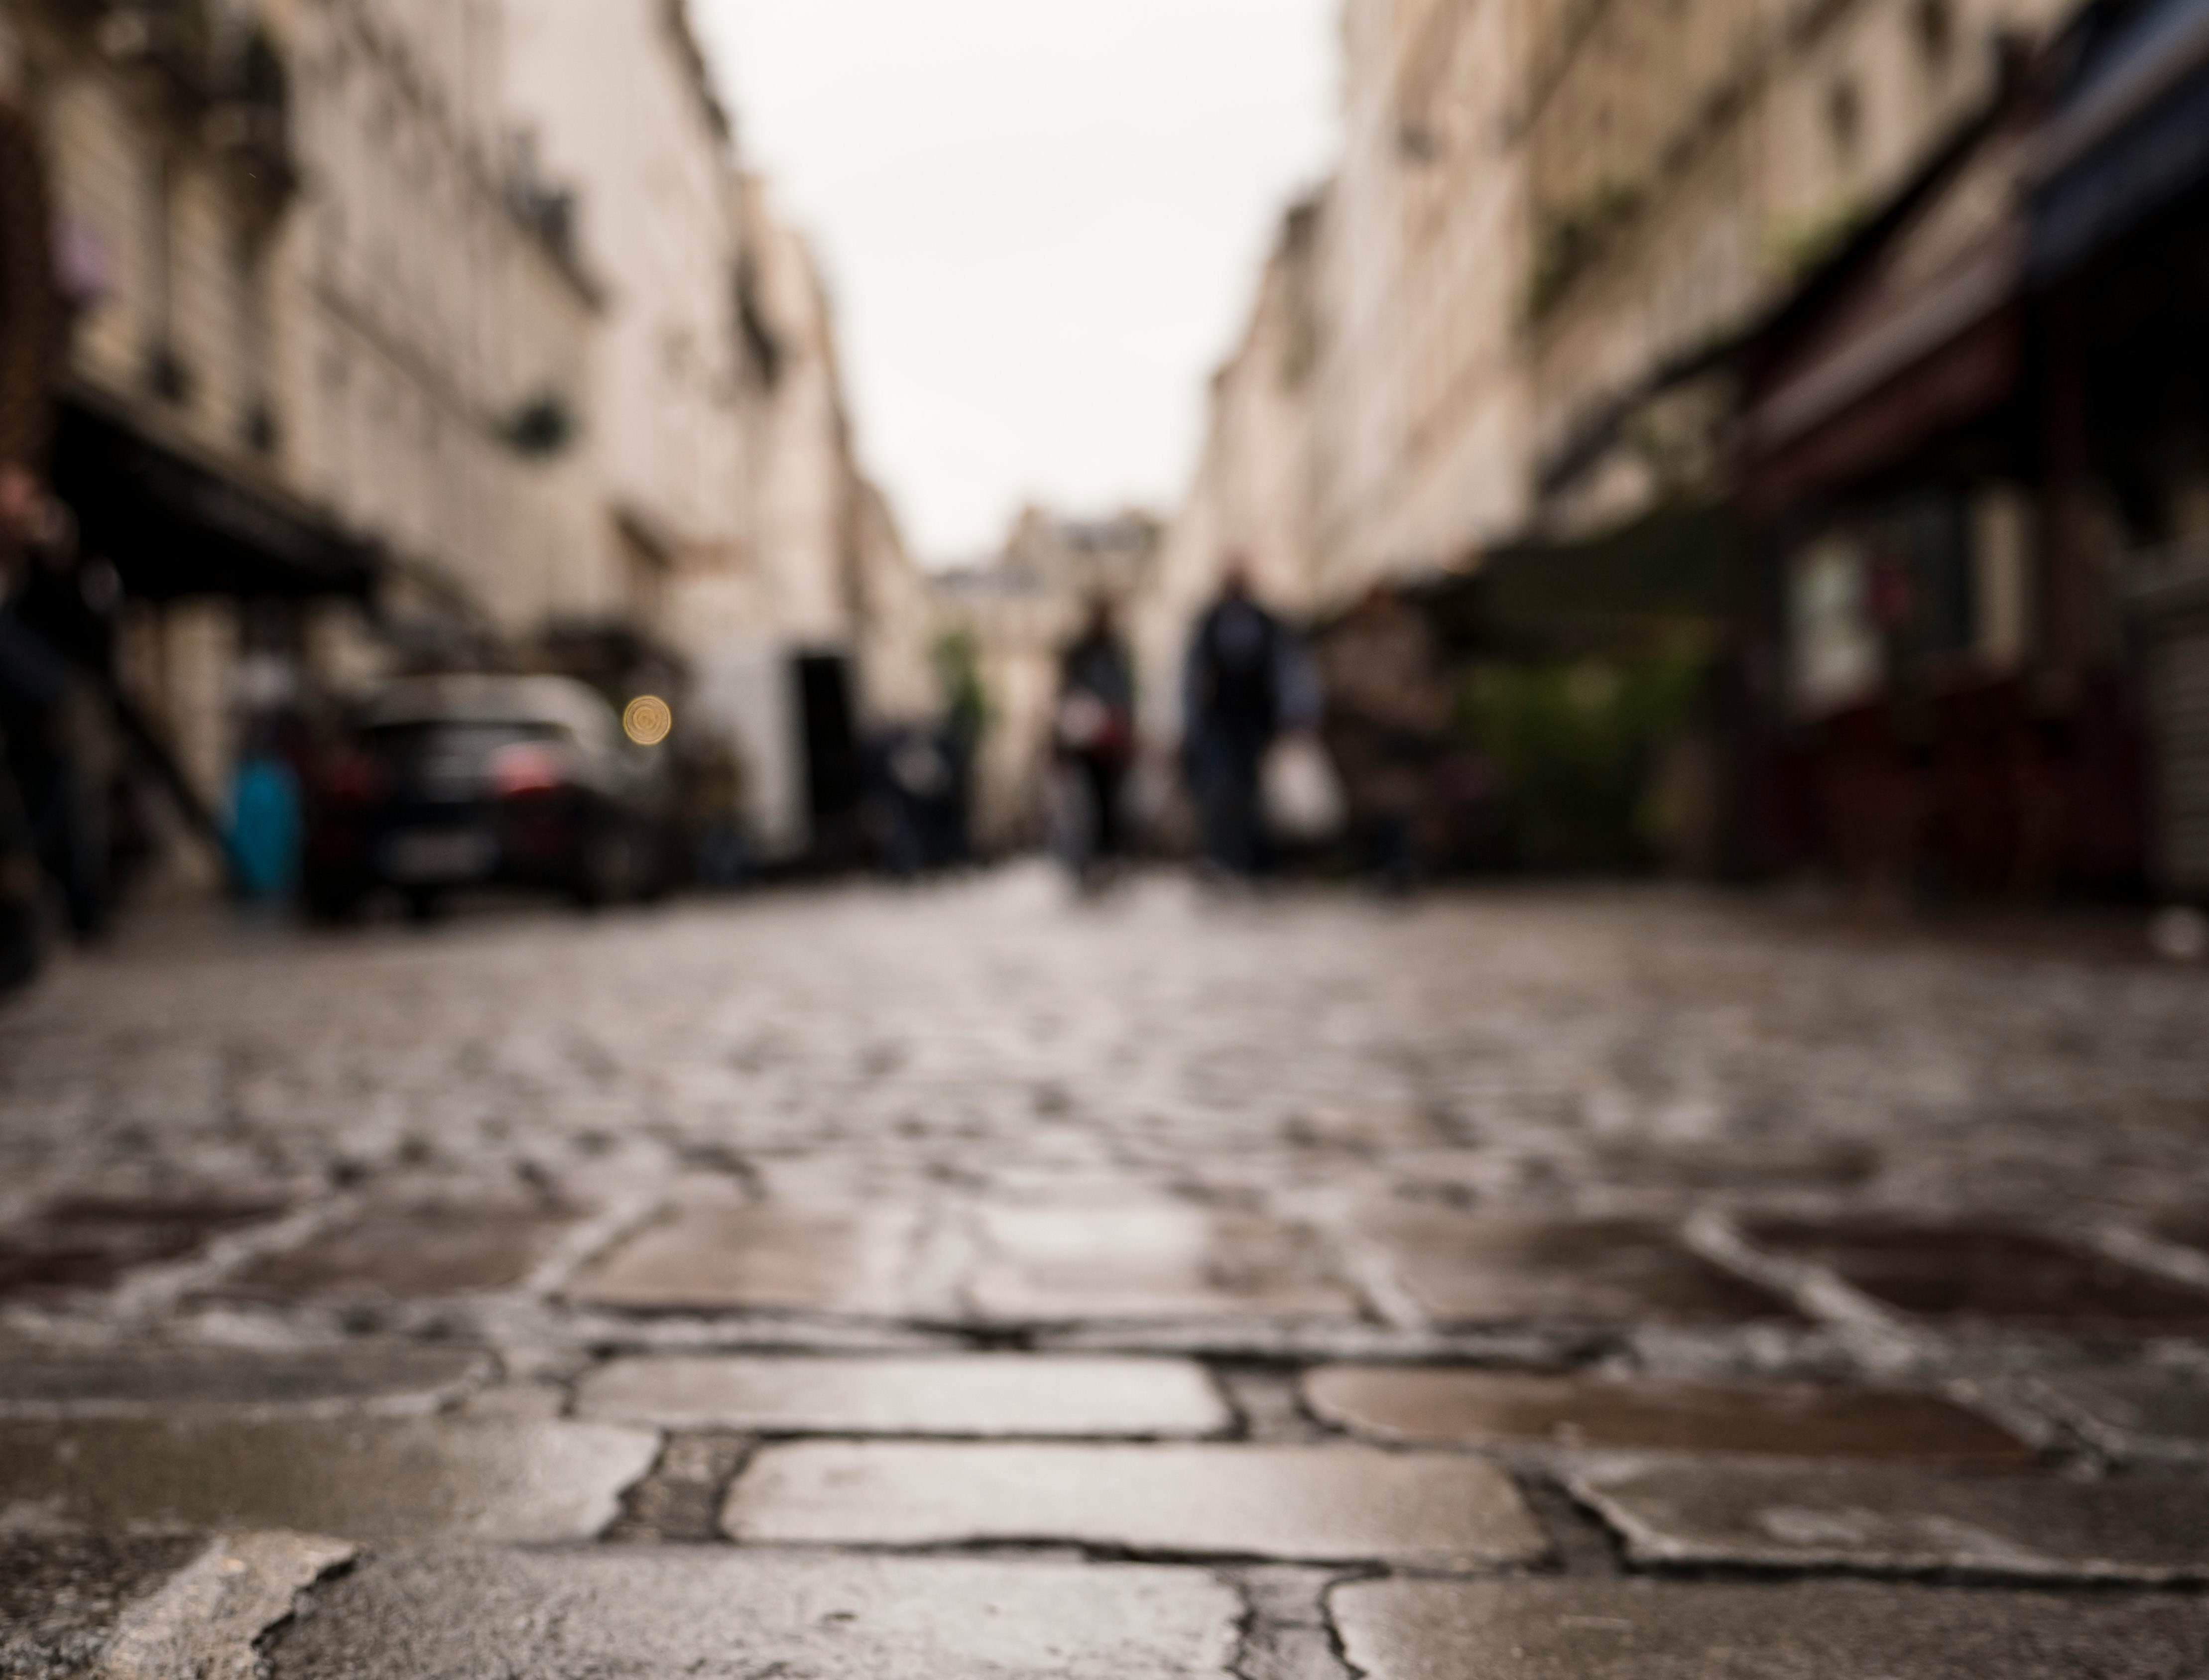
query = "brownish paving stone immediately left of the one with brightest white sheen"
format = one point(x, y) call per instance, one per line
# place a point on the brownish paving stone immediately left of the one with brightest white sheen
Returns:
point(759, 1259)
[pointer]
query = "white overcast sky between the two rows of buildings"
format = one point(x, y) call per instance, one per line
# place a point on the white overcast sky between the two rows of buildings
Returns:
point(1042, 222)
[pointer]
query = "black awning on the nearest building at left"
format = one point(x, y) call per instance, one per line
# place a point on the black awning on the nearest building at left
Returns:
point(178, 527)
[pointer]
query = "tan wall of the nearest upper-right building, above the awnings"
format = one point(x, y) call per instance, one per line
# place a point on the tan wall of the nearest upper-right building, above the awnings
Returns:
point(1687, 167)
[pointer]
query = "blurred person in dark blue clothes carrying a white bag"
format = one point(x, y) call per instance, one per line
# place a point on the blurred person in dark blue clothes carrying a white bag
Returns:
point(1245, 685)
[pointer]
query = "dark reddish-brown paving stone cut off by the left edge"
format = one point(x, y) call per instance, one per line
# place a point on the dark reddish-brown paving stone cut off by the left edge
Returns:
point(92, 1242)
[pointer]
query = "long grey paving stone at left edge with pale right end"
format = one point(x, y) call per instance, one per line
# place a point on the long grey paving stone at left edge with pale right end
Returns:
point(359, 1478)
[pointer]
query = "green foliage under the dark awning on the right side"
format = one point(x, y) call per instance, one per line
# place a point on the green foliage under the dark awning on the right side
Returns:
point(1576, 745)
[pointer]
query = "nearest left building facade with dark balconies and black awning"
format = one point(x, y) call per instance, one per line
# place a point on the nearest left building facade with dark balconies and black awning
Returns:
point(176, 178)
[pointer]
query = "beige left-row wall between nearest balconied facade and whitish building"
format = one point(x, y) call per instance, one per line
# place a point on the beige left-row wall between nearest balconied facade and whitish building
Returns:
point(430, 310)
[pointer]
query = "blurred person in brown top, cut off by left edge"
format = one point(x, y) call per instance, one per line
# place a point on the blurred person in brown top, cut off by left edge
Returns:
point(30, 357)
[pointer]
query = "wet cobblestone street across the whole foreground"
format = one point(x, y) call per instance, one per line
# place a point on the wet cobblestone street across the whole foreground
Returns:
point(973, 1284)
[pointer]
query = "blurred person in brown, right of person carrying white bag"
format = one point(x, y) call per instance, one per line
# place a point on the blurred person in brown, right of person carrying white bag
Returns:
point(1384, 727)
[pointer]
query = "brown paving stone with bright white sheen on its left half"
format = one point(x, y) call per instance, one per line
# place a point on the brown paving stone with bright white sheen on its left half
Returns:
point(1150, 1262)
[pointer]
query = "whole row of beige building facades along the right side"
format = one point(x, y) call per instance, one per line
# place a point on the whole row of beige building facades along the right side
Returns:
point(1508, 315)
